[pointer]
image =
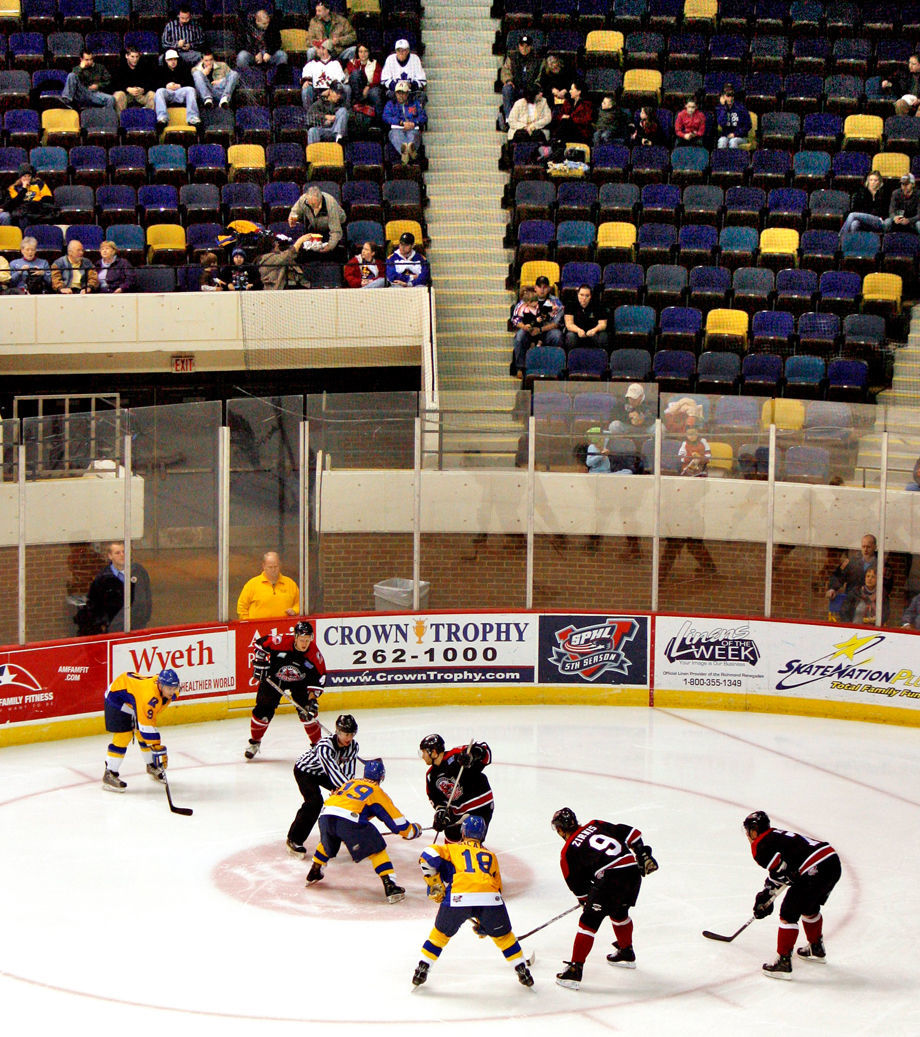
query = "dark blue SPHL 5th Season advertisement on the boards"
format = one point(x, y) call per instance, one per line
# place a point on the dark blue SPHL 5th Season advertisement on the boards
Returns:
point(599, 650)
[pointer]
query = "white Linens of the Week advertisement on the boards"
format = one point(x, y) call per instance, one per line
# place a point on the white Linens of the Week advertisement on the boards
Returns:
point(714, 655)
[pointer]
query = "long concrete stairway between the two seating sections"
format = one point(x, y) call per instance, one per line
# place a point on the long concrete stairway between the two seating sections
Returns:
point(467, 223)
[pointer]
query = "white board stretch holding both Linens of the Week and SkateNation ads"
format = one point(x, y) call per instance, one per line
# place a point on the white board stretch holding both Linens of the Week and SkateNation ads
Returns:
point(835, 664)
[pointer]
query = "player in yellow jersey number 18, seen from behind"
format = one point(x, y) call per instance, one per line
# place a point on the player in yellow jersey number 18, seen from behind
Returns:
point(466, 881)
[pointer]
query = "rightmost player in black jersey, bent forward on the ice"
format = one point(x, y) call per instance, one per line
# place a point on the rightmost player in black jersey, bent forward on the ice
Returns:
point(811, 870)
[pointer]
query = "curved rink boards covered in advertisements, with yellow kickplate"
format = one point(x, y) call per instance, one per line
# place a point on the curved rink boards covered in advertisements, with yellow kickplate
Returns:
point(378, 660)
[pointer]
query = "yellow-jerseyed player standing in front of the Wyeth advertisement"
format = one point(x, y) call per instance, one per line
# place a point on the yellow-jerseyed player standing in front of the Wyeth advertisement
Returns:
point(133, 704)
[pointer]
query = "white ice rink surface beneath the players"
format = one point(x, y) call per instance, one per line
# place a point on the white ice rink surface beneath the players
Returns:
point(120, 917)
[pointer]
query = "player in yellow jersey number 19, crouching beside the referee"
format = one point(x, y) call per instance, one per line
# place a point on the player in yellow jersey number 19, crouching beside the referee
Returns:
point(347, 819)
